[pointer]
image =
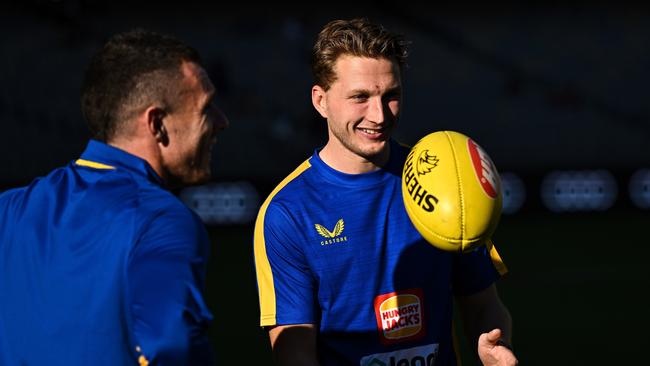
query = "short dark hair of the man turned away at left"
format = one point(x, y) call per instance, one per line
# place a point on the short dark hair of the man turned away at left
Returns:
point(132, 71)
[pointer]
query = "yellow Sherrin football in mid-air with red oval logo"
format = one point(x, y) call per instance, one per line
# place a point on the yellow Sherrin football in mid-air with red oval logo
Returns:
point(451, 191)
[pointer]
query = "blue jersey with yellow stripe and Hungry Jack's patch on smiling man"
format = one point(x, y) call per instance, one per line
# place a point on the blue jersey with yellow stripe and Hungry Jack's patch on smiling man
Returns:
point(339, 251)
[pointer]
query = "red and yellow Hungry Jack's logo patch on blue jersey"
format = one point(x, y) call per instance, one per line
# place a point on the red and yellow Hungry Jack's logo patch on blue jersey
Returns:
point(400, 316)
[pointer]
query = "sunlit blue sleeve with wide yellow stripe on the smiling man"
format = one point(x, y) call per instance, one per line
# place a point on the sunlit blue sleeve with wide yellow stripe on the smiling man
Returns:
point(286, 286)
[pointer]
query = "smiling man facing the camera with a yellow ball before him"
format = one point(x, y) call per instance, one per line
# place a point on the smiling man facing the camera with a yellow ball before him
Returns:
point(343, 276)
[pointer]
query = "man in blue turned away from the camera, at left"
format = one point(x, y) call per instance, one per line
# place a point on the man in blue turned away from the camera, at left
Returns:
point(99, 263)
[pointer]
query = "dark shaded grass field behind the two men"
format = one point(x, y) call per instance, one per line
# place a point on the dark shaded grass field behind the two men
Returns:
point(576, 290)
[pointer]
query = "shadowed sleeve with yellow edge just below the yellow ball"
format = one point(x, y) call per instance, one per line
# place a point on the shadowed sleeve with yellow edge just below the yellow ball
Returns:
point(476, 270)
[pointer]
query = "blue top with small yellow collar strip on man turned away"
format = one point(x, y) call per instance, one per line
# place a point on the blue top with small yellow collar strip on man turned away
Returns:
point(99, 265)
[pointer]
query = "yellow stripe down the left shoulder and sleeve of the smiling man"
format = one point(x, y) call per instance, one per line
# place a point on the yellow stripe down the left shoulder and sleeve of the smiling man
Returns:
point(262, 265)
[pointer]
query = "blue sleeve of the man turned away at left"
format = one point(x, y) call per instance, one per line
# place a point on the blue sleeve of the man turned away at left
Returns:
point(166, 275)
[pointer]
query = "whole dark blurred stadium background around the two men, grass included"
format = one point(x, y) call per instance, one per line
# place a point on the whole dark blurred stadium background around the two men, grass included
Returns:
point(557, 94)
